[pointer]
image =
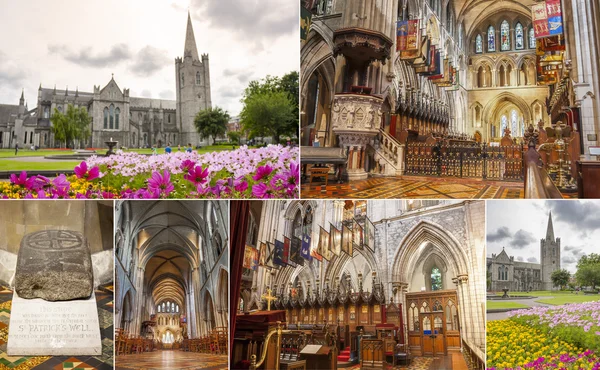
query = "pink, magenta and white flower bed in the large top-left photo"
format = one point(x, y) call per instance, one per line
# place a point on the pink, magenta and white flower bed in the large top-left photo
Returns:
point(270, 172)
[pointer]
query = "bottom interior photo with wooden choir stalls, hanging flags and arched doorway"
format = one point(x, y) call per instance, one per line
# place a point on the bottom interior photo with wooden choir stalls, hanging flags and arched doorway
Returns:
point(334, 284)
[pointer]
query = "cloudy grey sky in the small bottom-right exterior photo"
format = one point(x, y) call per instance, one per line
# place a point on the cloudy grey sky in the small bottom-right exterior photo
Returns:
point(518, 226)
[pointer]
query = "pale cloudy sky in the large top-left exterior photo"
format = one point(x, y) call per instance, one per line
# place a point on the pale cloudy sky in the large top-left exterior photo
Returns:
point(80, 43)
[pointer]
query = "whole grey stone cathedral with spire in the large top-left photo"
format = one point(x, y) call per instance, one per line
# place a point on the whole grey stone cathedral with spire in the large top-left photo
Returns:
point(132, 121)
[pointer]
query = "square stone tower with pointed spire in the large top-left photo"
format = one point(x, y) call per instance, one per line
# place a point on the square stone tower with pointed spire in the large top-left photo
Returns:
point(192, 76)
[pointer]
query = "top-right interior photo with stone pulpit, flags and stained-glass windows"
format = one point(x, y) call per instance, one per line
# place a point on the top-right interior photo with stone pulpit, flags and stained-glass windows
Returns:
point(463, 91)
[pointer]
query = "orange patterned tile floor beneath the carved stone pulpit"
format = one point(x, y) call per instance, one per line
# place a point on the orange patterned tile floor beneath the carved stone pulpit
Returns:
point(415, 187)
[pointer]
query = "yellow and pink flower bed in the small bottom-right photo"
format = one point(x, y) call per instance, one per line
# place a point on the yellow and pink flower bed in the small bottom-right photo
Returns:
point(561, 337)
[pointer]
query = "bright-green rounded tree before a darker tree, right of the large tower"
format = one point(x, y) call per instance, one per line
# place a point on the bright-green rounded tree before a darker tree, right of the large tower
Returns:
point(267, 114)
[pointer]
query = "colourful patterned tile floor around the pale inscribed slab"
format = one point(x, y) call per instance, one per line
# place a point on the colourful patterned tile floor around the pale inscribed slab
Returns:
point(104, 300)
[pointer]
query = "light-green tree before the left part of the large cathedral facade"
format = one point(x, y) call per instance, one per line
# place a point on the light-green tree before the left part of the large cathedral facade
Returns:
point(72, 125)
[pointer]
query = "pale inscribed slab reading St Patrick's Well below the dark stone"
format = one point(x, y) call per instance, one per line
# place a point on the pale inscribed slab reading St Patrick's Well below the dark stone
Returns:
point(39, 327)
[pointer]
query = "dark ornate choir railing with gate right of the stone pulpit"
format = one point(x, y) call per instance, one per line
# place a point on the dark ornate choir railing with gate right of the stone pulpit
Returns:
point(465, 160)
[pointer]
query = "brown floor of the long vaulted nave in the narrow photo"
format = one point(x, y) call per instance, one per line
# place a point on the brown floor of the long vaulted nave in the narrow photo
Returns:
point(174, 359)
